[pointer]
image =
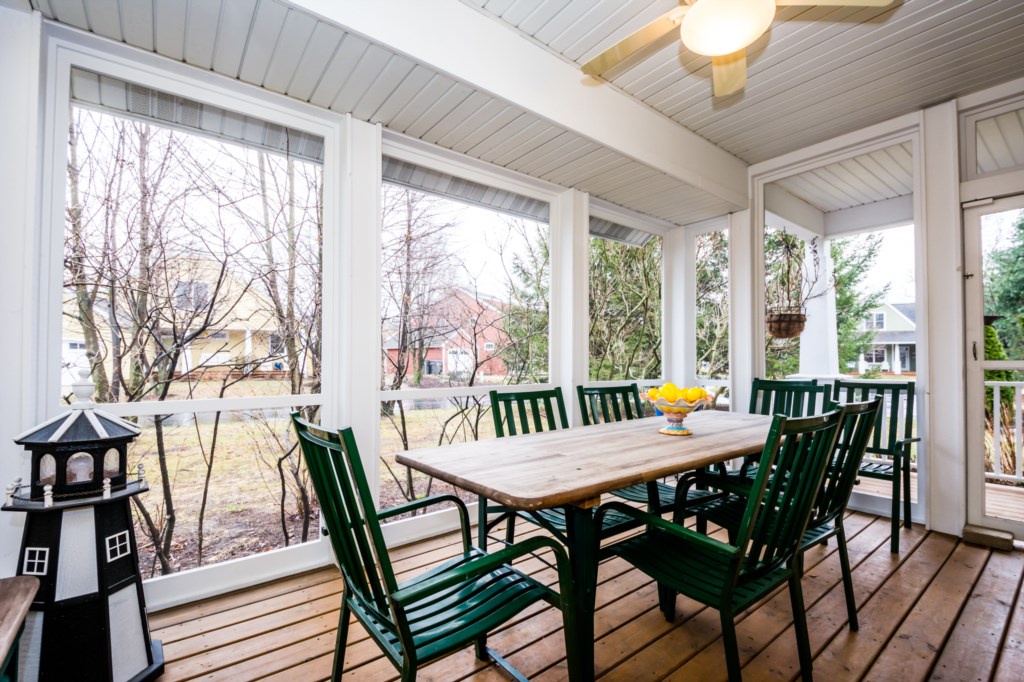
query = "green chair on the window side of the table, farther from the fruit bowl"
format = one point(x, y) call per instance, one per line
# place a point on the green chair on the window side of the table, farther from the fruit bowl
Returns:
point(526, 412)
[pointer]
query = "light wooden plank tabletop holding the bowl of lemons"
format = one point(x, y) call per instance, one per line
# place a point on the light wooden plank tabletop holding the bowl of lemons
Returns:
point(540, 471)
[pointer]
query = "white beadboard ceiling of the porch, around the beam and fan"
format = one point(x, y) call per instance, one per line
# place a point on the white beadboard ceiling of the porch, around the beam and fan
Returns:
point(808, 81)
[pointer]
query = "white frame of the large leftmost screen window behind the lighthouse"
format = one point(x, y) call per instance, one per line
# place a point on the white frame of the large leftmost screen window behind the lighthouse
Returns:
point(66, 49)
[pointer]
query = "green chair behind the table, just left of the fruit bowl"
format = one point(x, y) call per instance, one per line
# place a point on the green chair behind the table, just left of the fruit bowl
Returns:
point(601, 405)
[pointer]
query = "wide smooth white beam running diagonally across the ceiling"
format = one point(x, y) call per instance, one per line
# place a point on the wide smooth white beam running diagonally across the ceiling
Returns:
point(462, 42)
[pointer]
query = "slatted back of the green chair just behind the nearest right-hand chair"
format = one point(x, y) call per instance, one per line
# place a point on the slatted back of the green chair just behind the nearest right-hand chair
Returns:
point(841, 477)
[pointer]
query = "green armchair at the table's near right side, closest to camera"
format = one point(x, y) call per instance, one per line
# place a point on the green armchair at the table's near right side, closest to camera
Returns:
point(731, 577)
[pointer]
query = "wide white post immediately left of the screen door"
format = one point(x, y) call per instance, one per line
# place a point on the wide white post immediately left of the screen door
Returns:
point(941, 293)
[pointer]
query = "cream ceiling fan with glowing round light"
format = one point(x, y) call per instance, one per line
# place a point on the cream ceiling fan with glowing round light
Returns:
point(719, 29)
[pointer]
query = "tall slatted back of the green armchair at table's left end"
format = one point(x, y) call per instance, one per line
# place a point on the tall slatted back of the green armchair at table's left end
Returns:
point(349, 513)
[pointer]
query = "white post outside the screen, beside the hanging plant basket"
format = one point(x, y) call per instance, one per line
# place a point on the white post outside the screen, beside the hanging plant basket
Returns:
point(820, 340)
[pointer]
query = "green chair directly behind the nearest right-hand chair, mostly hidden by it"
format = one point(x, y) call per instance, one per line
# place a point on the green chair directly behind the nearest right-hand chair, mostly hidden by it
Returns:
point(830, 506)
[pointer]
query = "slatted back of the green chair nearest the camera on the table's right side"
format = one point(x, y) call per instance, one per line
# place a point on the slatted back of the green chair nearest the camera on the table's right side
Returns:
point(794, 462)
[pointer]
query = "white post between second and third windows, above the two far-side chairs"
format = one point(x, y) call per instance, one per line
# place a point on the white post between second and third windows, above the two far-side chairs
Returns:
point(570, 345)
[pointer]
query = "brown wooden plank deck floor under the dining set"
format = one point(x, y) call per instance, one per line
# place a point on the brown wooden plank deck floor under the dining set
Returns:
point(942, 610)
